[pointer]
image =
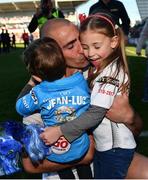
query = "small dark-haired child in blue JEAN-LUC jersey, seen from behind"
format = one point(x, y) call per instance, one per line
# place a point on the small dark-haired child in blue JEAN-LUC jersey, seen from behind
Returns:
point(58, 99)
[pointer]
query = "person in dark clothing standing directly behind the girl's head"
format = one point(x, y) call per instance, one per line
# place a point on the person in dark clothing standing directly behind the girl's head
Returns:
point(114, 8)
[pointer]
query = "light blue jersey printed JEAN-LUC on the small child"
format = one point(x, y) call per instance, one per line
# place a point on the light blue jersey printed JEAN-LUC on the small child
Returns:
point(58, 102)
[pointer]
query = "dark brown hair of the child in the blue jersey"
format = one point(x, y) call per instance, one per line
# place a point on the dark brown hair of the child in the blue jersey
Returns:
point(44, 58)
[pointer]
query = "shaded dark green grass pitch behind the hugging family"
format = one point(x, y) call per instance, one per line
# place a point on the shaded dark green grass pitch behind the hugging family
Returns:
point(13, 76)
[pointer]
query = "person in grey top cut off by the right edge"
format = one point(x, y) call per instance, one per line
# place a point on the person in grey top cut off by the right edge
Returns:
point(143, 42)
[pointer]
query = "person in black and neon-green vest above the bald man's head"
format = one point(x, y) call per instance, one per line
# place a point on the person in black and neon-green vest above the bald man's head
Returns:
point(43, 13)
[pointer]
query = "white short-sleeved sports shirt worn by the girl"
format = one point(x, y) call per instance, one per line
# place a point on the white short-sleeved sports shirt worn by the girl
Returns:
point(108, 134)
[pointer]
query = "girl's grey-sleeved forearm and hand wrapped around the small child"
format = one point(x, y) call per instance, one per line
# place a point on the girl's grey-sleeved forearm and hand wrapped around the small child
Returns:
point(73, 129)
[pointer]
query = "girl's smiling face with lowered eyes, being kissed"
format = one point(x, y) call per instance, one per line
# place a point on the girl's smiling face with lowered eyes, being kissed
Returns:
point(97, 46)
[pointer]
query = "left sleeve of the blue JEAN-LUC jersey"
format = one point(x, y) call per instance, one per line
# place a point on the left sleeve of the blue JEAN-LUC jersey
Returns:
point(27, 104)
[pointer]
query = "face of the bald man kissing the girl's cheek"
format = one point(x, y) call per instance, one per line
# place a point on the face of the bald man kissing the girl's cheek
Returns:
point(68, 39)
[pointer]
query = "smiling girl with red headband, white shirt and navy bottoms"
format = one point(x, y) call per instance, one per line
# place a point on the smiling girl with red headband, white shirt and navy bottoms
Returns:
point(103, 44)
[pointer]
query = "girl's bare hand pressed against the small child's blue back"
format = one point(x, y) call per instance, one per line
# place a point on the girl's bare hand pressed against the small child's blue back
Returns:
point(51, 135)
